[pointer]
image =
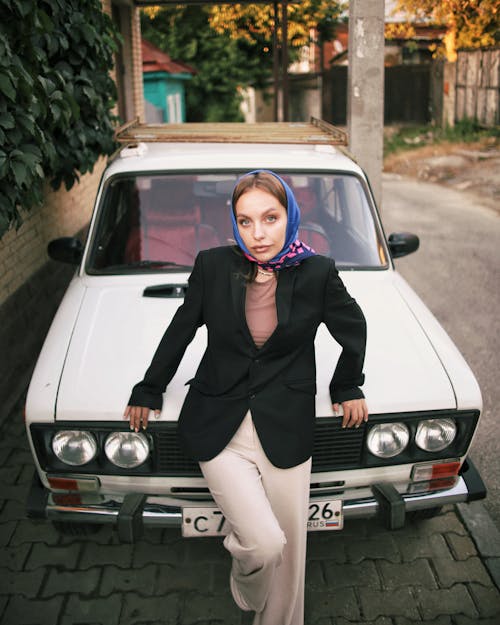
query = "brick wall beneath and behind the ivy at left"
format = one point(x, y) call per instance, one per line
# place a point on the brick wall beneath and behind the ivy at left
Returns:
point(32, 285)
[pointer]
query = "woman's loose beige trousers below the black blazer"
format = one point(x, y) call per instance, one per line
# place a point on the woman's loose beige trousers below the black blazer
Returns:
point(267, 510)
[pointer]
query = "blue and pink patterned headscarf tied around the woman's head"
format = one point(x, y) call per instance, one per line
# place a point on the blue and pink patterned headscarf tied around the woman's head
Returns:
point(293, 251)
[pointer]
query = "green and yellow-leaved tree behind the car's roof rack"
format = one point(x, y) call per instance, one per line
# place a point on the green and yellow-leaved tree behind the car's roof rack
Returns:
point(230, 46)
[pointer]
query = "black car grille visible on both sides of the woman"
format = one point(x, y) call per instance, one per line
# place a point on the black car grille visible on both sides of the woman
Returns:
point(334, 448)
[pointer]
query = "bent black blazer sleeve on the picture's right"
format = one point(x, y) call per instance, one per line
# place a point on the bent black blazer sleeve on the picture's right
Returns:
point(346, 323)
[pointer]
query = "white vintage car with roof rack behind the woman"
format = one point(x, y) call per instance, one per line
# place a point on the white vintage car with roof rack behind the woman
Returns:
point(163, 198)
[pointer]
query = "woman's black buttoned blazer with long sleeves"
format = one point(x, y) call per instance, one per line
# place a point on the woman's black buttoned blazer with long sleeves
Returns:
point(276, 382)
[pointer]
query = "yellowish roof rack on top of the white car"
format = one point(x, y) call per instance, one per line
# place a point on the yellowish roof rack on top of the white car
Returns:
point(315, 132)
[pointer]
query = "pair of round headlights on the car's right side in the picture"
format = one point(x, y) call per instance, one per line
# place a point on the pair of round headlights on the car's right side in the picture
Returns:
point(386, 440)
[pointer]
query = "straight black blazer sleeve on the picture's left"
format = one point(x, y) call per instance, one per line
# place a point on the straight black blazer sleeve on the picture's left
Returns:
point(169, 353)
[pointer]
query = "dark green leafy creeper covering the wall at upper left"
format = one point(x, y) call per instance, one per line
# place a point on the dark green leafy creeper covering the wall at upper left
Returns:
point(56, 97)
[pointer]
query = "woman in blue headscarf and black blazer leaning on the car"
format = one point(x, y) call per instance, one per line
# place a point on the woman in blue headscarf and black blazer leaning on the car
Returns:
point(248, 417)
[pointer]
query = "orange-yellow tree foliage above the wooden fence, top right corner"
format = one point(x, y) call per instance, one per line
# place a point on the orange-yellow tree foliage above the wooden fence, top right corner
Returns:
point(471, 23)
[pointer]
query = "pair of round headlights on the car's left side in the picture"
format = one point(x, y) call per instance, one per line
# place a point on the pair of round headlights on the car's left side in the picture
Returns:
point(127, 450)
